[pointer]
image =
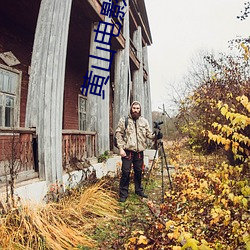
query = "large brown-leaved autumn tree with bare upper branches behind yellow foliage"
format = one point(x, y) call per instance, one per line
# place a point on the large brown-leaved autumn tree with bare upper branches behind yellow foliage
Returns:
point(220, 78)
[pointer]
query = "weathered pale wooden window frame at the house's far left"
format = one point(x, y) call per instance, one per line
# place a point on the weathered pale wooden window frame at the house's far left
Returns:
point(17, 96)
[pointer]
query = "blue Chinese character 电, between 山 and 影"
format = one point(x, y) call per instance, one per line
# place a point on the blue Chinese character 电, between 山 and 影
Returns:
point(105, 33)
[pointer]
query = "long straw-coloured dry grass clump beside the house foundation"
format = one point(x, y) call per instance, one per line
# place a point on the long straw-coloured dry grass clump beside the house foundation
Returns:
point(60, 225)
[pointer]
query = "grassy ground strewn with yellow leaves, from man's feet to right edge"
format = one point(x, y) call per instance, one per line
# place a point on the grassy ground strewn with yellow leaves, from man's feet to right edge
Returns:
point(140, 227)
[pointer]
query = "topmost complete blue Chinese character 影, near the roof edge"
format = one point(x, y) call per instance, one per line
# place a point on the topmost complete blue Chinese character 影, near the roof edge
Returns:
point(111, 10)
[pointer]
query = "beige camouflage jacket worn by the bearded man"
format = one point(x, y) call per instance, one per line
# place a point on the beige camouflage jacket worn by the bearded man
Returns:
point(136, 134)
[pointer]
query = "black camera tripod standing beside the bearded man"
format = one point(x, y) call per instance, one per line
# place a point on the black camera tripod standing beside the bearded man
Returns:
point(159, 148)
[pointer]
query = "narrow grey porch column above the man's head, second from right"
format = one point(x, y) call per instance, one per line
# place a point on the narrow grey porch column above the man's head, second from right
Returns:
point(138, 85)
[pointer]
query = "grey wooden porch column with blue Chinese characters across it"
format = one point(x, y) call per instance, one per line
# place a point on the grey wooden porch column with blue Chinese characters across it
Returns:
point(97, 107)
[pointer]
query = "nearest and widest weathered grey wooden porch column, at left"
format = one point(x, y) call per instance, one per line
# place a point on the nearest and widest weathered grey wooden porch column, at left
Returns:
point(45, 95)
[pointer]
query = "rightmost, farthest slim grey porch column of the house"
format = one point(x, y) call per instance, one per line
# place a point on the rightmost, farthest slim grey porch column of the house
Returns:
point(148, 107)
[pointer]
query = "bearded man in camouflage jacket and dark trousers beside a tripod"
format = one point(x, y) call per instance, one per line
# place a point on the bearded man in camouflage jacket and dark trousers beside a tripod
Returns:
point(131, 142)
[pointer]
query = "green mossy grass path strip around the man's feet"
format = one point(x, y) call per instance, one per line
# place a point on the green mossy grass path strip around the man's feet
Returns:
point(136, 216)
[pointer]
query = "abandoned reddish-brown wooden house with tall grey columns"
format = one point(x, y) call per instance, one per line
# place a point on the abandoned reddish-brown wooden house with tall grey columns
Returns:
point(45, 48)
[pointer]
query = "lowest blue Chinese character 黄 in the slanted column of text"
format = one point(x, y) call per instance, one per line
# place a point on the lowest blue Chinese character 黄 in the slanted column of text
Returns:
point(96, 87)
